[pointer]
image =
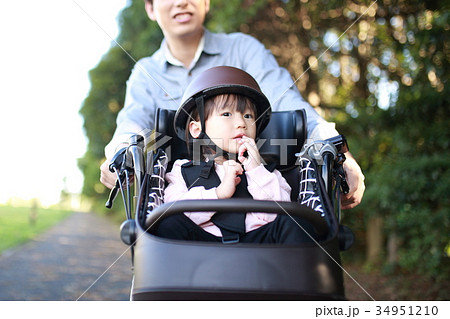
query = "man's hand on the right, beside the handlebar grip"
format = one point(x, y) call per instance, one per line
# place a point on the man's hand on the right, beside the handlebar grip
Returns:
point(355, 180)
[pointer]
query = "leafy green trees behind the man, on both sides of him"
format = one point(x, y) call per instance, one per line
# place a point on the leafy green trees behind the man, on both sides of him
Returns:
point(377, 68)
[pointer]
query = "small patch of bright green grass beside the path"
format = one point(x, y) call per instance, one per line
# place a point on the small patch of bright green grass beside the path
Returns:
point(18, 226)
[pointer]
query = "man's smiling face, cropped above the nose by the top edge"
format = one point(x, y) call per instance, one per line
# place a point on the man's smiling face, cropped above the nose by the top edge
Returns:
point(178, 18)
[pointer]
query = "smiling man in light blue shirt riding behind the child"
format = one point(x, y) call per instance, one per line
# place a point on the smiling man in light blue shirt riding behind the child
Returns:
point(187, 50)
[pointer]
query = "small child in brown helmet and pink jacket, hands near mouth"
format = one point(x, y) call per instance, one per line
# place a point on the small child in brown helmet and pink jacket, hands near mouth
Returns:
point(225, 109)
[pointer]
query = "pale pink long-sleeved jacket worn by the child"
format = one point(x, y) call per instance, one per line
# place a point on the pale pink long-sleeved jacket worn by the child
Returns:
point(262, 185)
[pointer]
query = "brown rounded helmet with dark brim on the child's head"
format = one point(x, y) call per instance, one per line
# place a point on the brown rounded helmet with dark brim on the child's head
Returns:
point(221, 80)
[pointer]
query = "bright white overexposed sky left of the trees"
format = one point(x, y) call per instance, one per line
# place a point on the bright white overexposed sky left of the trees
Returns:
point(46, 50)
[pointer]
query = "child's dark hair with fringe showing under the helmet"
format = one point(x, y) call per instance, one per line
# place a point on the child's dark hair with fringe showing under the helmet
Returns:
point(239, 103)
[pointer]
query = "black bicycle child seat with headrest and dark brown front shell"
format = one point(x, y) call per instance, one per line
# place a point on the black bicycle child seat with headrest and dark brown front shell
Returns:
point(167, 269)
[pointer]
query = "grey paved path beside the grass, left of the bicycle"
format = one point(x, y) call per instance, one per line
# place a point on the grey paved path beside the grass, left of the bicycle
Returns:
point(64, 262)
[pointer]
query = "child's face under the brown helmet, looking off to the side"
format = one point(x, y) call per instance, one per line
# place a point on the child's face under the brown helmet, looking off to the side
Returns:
point(226, 125)
